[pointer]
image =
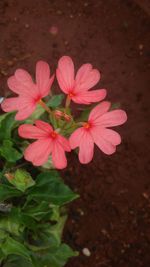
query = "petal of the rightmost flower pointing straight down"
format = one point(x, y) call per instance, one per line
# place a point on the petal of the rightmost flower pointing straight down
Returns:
point(86, 148)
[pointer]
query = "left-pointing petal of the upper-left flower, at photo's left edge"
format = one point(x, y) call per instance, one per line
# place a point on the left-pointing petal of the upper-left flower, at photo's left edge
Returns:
point(10, 104)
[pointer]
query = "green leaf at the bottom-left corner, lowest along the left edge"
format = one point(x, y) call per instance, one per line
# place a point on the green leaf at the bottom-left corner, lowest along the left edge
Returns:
point(11, 246)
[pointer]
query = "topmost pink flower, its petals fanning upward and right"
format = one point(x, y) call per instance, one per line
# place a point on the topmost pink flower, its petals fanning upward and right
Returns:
point(77, 88)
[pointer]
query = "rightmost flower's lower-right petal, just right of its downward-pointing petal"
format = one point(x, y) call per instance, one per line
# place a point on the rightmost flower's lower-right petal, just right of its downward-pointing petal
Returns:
point(102, 143)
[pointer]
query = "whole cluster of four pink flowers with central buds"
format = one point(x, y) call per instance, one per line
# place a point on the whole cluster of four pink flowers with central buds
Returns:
point(54, 141)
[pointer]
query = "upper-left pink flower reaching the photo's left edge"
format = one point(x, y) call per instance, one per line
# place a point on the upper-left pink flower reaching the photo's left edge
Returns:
point(30, 93)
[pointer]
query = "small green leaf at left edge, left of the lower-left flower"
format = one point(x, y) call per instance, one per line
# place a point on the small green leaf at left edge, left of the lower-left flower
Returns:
point(9, 152)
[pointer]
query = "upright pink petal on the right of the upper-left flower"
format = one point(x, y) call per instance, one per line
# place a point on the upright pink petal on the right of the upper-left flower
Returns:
point(43, 78)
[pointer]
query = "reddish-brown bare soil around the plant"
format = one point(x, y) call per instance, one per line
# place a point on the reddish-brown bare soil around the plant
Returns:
point(112, 216)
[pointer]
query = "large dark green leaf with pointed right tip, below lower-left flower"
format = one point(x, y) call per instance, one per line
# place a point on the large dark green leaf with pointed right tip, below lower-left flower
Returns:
point(49, 187)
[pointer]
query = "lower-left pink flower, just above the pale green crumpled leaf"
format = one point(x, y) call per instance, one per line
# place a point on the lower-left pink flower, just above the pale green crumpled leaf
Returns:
point(48, 142)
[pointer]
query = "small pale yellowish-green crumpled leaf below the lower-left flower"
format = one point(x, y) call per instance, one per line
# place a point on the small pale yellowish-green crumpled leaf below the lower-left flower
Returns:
point(22, 180)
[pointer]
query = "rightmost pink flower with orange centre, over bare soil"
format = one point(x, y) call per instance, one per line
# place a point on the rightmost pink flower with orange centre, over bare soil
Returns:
point(95, 131)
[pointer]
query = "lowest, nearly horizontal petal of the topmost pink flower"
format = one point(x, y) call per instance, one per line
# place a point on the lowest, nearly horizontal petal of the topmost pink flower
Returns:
point(88, 97)
